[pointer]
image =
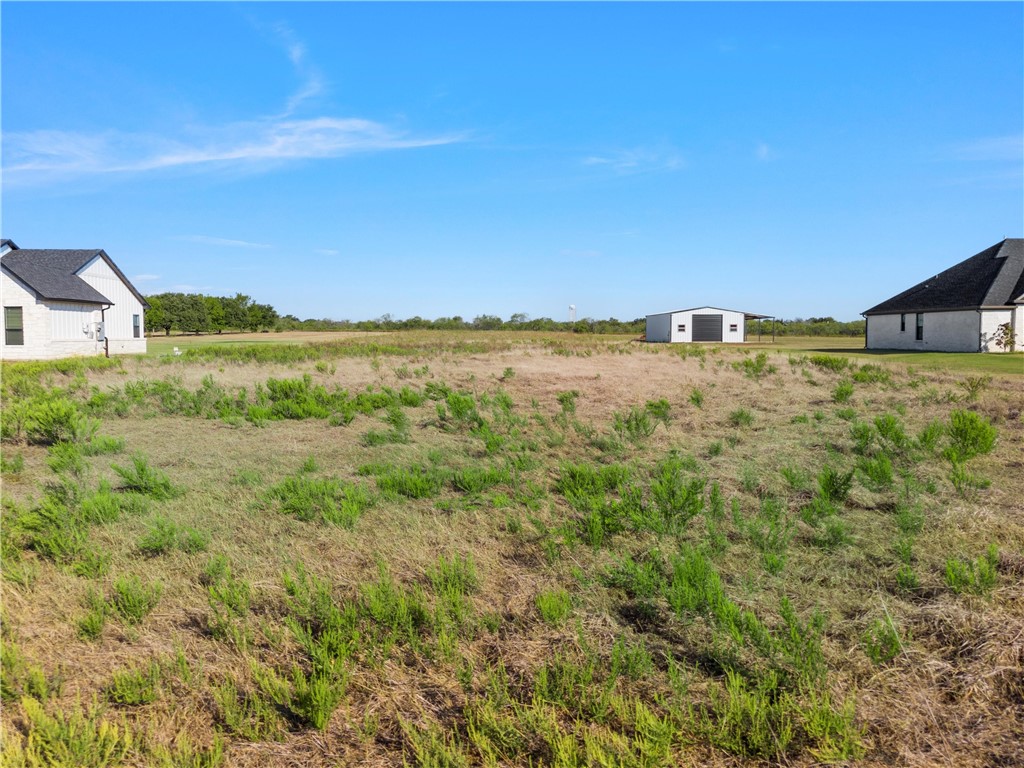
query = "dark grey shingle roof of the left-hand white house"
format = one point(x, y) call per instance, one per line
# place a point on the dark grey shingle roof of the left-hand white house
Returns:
point(53, 274)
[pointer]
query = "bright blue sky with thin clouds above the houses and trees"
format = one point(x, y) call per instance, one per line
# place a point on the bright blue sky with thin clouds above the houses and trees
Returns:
point(348, 161)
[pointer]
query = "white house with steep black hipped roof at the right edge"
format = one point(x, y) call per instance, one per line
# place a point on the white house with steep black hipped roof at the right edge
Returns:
point(958, 311)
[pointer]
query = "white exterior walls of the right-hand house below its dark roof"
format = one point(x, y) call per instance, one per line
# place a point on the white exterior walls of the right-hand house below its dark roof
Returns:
point(957, 331)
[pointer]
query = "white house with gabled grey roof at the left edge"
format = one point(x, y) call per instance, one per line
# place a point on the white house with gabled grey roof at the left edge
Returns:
point(61, 304)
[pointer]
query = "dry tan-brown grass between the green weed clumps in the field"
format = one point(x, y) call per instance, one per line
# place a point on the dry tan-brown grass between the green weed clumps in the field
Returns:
point(954, 697)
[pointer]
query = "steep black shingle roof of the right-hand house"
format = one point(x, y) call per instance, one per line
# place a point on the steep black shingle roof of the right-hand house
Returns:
point(993, 278)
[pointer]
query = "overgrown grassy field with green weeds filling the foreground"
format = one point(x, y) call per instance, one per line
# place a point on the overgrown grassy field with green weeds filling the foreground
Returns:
point(501, 549)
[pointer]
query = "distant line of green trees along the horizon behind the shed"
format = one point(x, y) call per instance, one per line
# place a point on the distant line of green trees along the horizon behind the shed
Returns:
point(198, 314)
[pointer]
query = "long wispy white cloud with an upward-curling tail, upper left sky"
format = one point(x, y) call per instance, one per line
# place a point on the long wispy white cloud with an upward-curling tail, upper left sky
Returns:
point(47, 156)
